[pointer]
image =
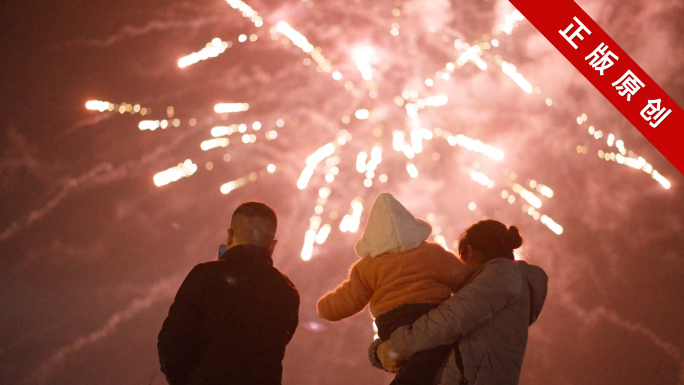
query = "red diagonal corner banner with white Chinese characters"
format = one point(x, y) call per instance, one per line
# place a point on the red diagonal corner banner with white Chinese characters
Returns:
point(612, 72)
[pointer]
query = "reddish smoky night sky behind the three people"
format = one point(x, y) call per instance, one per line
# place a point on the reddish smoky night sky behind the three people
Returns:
point(92, 251)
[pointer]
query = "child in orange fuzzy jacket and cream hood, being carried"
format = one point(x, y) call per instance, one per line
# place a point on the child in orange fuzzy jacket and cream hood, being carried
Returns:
point(402, 276)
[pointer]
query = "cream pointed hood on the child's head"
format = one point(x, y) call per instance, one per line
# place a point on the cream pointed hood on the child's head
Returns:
point(391, 229)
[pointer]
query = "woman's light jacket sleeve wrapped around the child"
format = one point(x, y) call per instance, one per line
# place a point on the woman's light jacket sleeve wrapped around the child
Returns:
point(498, 283)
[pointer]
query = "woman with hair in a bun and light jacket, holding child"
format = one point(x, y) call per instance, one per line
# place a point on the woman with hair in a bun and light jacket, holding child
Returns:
point(486, 320)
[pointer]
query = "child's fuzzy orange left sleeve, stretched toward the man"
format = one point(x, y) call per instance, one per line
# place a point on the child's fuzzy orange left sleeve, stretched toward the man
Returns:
point(347, 299)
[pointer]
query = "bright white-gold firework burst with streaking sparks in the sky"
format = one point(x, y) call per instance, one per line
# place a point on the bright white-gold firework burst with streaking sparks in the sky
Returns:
point(408, 106)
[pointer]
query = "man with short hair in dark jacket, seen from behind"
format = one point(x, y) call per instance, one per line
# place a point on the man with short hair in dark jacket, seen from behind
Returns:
point(232, 318)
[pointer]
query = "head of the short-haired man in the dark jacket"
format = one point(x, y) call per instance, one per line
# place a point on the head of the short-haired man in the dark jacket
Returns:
point(253, 223)
